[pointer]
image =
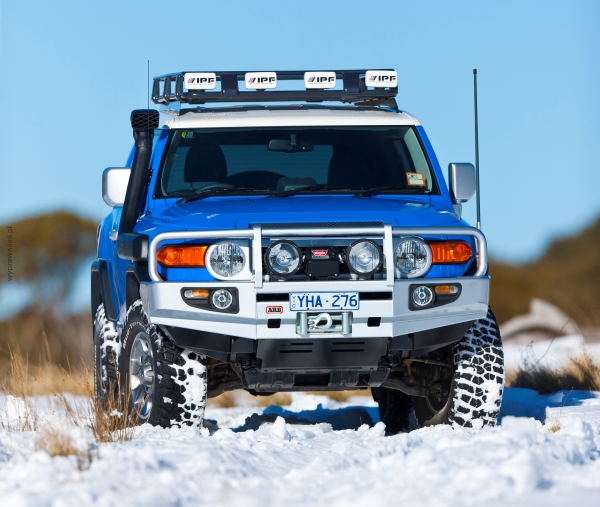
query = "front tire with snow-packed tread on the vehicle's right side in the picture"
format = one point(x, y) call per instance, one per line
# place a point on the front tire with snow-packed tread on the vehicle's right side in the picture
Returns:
point(478, 382)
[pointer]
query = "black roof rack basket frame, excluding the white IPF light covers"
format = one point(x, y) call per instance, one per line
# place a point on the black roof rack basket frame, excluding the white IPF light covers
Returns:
point(170, 88)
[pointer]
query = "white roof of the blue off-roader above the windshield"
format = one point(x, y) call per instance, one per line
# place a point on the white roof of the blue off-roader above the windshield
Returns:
point(287, 118)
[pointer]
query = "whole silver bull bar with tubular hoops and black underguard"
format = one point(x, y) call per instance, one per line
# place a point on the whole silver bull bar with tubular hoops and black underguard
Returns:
point(384, 322)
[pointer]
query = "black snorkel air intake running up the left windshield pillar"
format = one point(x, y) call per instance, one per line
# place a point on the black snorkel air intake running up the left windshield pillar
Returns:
point(131, 245)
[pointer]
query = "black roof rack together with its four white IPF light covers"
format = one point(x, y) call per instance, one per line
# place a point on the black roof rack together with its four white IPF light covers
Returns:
point(176, 88)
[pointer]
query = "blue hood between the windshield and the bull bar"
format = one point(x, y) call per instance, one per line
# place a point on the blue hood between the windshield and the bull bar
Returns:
point(239, 213)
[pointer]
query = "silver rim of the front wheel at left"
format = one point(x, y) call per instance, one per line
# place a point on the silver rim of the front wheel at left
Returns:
point(141, 375)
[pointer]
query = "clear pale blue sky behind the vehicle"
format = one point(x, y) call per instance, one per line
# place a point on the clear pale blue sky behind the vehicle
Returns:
point(71, 72)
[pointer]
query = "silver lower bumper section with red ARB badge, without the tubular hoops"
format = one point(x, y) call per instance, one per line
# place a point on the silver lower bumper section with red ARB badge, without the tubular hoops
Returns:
point(165, 306)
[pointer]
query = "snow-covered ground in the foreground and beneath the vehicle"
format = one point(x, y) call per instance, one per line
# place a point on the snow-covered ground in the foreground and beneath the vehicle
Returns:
point(320, 452)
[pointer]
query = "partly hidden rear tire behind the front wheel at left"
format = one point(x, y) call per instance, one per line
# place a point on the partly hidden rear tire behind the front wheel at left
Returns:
point(107, 347)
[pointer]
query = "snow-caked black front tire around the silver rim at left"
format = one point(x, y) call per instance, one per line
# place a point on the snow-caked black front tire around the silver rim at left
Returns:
point(179, 388)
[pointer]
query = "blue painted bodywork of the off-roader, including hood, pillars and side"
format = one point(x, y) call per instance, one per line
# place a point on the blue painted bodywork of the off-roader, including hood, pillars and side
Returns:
point(235, 212)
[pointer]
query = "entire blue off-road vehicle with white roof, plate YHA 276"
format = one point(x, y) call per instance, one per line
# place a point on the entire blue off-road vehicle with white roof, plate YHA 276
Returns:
point(308, 243)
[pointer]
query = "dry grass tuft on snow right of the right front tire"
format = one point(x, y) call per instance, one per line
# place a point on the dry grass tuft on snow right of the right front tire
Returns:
point(581, 373)
